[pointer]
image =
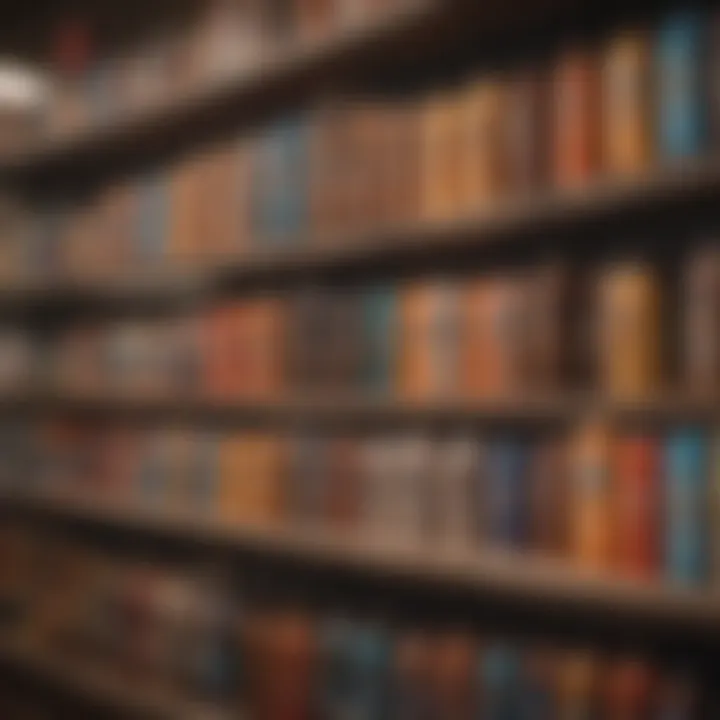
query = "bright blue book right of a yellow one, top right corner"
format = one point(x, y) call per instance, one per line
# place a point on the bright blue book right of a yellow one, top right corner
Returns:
point(682, 121)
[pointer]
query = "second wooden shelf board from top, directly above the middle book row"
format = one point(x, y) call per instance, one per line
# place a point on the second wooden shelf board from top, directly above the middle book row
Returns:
point(604, 209)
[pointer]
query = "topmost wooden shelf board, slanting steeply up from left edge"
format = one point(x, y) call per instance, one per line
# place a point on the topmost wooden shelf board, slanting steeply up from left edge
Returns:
point(275, 84)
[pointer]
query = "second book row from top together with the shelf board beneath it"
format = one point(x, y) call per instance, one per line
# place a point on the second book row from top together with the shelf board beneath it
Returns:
point(354, 183)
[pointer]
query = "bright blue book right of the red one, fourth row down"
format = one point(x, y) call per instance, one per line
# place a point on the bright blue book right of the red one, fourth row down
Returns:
point(686, 508)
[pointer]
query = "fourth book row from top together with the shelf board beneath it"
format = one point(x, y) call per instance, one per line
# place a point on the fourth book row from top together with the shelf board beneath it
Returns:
point(447, 499)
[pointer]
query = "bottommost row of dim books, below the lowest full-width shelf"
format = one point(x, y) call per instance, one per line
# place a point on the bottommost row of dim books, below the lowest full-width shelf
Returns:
point(187, 629)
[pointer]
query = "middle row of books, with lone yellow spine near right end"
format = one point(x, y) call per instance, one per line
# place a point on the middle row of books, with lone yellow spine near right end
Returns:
point(622, 331)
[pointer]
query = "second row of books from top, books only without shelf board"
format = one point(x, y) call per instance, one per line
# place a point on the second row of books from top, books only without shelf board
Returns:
point(368, 164)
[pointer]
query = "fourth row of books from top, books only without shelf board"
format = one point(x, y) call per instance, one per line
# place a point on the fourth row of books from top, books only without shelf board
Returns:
point(626, 505)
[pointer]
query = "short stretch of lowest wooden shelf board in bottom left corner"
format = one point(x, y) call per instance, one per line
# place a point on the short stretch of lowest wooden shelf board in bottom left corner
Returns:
point(97, 686)
